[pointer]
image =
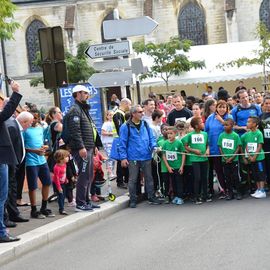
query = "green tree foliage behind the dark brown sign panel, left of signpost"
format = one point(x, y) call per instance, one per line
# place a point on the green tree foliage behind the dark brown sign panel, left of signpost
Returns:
point(77, 67)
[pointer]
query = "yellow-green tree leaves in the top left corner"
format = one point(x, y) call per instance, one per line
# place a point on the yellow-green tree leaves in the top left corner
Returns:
point(7, 23)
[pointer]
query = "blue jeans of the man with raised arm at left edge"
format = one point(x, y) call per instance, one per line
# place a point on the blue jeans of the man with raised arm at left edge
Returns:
point(3, 196)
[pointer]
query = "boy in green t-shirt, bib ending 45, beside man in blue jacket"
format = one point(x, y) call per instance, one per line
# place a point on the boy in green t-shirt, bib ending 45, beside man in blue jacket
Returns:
point(174, 162)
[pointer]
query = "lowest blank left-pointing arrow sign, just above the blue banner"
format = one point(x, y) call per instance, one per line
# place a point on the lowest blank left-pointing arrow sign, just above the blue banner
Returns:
point(107, 79)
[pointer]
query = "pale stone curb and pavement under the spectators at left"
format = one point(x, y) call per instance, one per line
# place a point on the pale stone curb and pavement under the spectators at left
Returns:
point(37, 232)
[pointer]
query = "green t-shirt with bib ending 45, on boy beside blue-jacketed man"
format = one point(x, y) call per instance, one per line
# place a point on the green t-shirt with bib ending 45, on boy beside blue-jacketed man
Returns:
point(170, 150)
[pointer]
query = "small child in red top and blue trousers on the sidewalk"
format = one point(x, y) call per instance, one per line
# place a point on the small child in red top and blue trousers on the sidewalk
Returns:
point(59, 178)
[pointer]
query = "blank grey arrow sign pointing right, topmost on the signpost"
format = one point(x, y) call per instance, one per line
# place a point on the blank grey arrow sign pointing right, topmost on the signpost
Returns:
point(128, 27)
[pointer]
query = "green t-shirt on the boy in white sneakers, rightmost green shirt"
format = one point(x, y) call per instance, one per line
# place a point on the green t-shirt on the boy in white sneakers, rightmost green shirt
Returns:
point(250, 142)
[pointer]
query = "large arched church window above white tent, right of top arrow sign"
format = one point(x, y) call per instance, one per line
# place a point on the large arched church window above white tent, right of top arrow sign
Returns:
point(191, 24)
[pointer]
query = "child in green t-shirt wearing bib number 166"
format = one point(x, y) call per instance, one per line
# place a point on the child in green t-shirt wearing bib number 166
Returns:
point(196, 143)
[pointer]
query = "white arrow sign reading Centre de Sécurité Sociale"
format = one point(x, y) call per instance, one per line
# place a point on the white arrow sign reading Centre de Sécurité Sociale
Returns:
point(110, 49)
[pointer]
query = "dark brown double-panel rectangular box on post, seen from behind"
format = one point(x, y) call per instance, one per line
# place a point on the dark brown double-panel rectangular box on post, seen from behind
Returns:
point(52, 56)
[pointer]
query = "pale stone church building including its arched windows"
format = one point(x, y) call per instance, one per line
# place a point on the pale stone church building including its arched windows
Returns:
point(202, 21)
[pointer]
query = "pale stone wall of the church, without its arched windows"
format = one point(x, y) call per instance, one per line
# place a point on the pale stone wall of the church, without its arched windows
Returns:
point(89, 15)
